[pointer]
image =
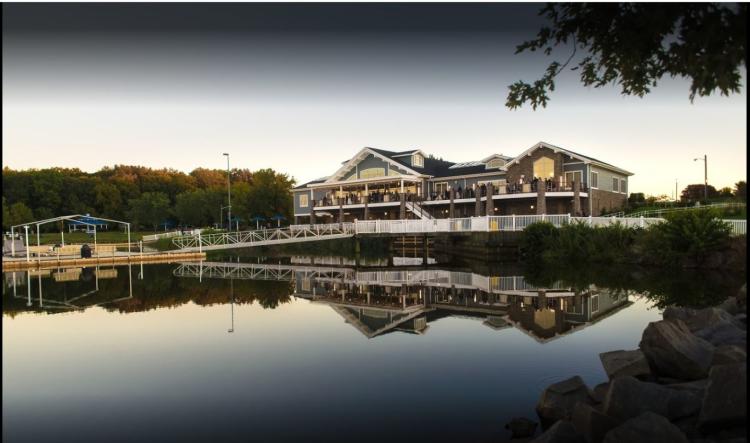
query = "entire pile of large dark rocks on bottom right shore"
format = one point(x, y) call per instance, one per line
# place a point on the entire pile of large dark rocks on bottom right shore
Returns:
point(685, 383)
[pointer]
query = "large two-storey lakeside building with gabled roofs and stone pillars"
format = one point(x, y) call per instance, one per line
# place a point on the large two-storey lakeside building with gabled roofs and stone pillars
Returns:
point(379, 184)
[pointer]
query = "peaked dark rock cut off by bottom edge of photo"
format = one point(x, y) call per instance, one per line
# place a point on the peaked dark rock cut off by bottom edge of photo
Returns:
point(646, 428)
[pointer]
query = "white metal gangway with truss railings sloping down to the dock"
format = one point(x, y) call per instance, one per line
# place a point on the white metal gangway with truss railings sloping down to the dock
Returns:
point(248, 239)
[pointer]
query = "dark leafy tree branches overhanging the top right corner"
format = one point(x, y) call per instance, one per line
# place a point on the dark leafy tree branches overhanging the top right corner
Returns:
point(635, 45)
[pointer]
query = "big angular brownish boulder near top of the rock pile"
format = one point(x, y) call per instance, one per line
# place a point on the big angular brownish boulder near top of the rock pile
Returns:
point(673, 351)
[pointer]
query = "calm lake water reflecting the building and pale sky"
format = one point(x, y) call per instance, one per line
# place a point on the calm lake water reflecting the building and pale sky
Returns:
point(303, 349)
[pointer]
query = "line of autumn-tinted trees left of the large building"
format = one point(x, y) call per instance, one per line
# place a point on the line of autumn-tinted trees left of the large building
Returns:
point(147, 198)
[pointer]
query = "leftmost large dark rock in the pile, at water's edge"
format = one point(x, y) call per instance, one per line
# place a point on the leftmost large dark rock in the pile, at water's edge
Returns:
point(558, 400)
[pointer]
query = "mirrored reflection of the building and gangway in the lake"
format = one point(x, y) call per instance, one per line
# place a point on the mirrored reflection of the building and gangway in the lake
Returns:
point(378, 302)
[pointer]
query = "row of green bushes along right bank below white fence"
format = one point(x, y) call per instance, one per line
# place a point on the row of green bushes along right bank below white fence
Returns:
point(689, 239)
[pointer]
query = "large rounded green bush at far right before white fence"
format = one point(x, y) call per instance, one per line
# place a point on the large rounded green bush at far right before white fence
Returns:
point(686, 236)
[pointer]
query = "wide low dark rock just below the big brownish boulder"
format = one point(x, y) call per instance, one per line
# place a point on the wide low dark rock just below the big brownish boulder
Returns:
point(629, 397)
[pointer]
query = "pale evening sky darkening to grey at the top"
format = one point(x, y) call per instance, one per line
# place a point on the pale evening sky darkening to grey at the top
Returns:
point(301, 88)
